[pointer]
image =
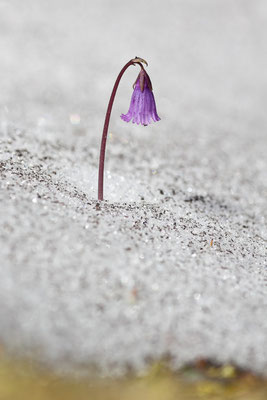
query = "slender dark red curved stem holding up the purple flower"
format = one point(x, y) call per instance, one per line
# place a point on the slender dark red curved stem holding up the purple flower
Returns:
point(105, 131)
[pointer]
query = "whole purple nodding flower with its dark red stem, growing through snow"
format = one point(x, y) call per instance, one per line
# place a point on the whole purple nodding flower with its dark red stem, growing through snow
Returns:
point(142, 111)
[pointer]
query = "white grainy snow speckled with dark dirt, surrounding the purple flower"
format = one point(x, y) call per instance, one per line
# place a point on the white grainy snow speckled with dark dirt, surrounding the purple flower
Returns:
point(173, 264)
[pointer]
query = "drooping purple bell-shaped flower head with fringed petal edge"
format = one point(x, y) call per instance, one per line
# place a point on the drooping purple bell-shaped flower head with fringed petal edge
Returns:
point(142, 107)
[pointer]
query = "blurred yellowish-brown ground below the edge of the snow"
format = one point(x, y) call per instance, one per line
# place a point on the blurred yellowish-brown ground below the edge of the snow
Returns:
point(24, 381)
